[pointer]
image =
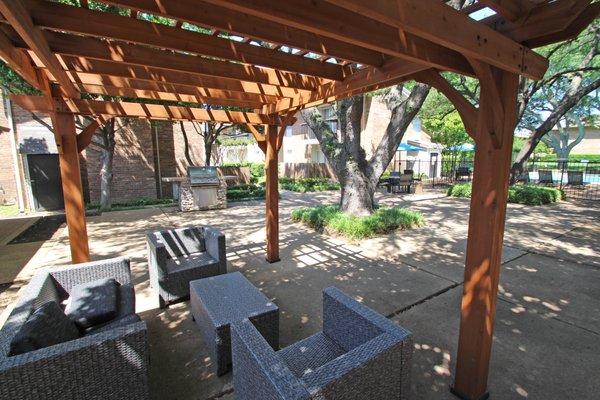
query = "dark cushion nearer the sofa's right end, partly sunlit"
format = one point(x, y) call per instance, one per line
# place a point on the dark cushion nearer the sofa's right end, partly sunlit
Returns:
point(93, 303)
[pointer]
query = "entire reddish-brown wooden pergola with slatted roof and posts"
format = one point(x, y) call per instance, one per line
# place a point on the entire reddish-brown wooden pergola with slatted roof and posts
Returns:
point(274, 58)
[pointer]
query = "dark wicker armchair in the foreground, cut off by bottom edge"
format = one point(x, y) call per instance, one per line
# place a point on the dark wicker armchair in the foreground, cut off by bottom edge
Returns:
point(358, 355)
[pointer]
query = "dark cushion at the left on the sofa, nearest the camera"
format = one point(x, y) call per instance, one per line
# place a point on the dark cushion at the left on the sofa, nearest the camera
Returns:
point(47, 326)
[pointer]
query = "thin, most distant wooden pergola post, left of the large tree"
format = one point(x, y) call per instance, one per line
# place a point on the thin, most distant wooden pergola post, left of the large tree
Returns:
point(272, 195)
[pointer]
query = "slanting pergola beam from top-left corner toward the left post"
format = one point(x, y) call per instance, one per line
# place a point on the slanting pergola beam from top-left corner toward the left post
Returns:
point(18, 16)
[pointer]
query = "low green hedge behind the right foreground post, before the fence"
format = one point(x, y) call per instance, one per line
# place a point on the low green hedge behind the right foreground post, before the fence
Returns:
point(522, 194)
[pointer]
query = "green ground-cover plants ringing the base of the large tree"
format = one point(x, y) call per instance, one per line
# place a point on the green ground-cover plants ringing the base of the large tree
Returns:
point(330, 219)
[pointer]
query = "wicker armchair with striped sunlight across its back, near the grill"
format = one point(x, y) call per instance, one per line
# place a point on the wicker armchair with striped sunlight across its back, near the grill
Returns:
point(178, 256)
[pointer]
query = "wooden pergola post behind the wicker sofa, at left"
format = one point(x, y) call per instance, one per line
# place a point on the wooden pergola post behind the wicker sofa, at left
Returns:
point(64, 125)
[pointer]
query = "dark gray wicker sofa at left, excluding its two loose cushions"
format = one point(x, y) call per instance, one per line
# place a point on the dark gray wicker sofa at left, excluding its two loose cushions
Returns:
point(110, 362)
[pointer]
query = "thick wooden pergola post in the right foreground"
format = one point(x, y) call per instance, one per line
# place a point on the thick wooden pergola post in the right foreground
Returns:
point(494, 140)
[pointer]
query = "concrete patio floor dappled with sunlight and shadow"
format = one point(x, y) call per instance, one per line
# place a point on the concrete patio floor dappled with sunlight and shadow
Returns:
point(547, 337)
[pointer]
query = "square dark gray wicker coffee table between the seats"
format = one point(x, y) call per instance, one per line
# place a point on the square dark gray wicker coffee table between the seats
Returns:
point(222, 300)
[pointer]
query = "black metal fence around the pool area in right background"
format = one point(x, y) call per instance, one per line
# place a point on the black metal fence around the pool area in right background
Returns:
point(578, 180)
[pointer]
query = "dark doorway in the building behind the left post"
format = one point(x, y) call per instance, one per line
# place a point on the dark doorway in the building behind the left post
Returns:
point(44, 175)
